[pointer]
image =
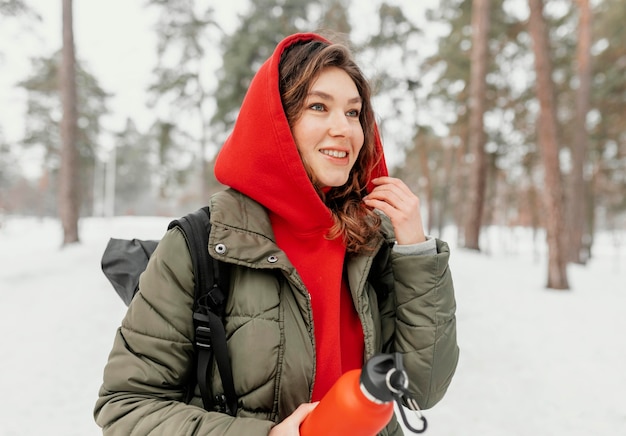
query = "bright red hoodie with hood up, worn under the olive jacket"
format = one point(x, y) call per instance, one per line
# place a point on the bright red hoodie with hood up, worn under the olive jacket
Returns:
point(260, 159)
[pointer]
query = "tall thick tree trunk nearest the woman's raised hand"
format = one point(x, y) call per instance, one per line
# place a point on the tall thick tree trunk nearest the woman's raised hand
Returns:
point(476, 138)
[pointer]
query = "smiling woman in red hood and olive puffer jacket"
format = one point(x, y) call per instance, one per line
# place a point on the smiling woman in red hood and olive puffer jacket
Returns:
point(330, 265)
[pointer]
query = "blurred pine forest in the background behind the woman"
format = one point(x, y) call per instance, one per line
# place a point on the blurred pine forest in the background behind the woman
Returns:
point(507, 113)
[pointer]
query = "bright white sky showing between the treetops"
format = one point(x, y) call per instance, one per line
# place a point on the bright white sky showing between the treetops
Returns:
point(116, 40)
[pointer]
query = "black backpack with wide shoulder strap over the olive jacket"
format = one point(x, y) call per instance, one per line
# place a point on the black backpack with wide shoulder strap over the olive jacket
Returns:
point(124, 260)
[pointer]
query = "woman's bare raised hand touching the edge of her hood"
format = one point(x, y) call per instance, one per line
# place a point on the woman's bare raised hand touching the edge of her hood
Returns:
point(395, 199)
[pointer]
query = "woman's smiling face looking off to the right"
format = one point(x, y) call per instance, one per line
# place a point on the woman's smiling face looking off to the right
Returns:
point(328, 134)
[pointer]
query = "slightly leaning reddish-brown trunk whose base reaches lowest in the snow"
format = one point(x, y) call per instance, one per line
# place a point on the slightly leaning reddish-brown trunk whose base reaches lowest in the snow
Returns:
point(549, 145)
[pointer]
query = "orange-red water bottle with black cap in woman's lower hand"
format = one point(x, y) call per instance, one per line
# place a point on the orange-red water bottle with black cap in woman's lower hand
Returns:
point(360, 403)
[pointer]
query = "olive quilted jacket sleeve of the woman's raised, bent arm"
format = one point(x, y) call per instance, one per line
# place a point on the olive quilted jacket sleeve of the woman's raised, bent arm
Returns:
point(419, 321)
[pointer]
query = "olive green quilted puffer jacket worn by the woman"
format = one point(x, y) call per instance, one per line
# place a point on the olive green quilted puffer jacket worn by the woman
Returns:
point(269, 329)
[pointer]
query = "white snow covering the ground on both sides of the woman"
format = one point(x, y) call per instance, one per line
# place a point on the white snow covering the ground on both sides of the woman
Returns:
point(533, 361)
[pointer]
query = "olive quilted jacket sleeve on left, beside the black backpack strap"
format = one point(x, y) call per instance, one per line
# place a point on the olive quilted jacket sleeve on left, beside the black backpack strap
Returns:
point(145, 376)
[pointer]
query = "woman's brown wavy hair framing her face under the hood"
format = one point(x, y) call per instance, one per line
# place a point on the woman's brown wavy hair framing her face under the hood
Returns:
point(300, 65)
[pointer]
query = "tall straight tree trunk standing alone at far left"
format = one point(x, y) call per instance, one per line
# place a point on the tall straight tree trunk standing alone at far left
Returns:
point(68, 173)
